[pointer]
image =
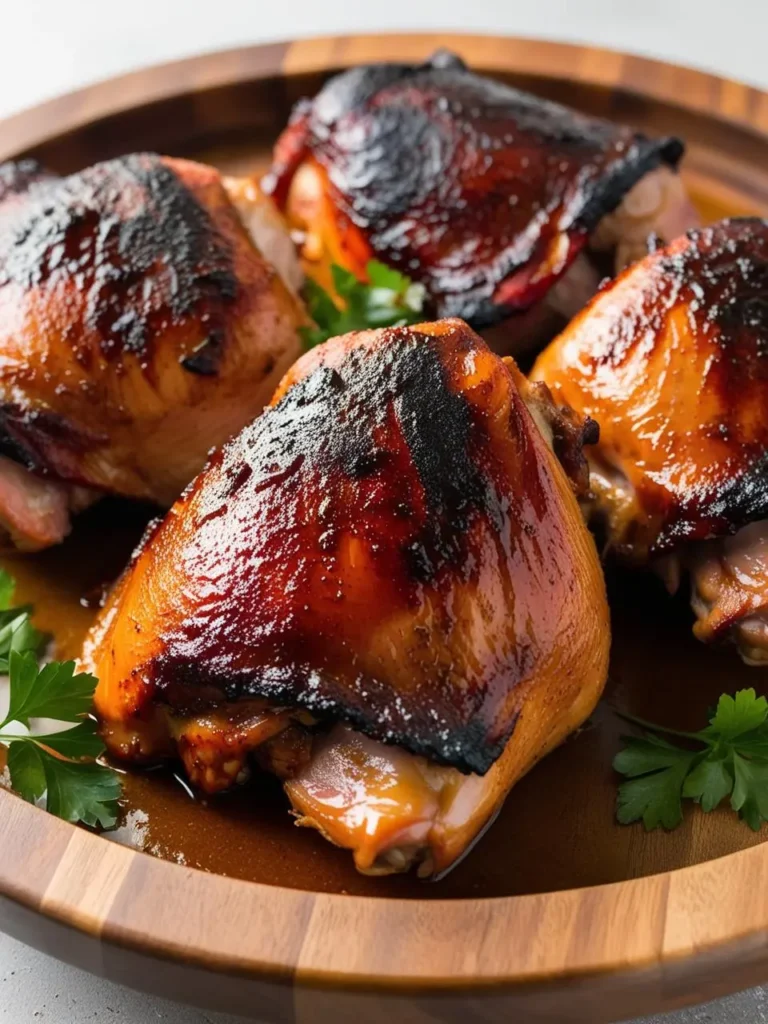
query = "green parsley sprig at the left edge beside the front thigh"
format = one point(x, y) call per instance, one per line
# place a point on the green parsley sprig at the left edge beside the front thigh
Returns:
point(61, 766)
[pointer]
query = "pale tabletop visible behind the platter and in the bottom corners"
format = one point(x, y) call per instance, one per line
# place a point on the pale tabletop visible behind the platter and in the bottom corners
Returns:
point(50, 47)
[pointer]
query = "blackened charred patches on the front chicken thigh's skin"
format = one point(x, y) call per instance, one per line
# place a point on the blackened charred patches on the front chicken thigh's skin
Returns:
point(296, 442)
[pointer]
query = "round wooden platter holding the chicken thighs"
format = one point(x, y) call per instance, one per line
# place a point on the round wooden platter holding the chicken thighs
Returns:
point(670, 925)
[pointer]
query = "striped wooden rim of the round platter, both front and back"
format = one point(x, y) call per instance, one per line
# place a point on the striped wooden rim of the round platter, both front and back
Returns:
point(116, 894)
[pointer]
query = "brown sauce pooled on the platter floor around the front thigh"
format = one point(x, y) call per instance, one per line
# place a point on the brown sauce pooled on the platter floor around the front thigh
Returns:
point(557, 830)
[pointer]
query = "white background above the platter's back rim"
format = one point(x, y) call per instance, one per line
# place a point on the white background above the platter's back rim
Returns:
point(49, 47)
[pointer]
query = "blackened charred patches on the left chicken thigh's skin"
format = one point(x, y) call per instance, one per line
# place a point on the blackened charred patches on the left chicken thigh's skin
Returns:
point(169, 226)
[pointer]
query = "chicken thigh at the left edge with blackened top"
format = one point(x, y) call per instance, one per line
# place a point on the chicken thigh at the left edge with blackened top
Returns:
point(140, 325)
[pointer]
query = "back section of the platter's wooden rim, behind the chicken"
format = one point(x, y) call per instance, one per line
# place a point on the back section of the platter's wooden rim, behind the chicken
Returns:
point(686, 88)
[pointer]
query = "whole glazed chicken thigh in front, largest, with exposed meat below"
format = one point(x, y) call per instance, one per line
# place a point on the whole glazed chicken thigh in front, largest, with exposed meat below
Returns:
point(382, 590)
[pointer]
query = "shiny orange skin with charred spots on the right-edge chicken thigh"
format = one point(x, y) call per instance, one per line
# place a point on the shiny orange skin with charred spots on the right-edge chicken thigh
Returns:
point(672, 361)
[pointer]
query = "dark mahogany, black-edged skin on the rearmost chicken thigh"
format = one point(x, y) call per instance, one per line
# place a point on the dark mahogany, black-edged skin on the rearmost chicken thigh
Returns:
point(483, 193)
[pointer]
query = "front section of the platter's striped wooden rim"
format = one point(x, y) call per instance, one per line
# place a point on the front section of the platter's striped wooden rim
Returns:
point(114, 893)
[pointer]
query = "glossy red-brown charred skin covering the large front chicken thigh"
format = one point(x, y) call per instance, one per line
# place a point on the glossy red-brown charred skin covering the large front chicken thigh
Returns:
point(394, 544)
